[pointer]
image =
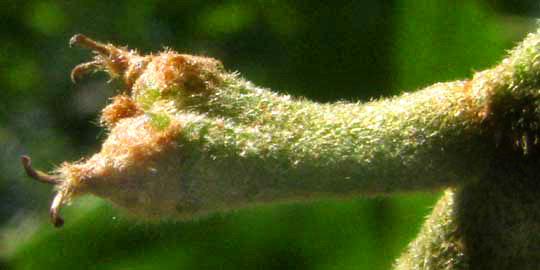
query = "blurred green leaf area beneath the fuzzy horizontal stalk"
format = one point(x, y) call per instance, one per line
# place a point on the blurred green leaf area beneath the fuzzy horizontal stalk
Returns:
point(293, 236)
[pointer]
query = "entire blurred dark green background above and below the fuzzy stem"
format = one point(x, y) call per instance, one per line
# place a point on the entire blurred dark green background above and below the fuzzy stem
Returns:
point(327, 51)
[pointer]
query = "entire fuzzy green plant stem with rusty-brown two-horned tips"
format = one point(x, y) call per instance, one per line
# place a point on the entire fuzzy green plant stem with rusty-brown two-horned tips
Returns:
point(192, 139)
